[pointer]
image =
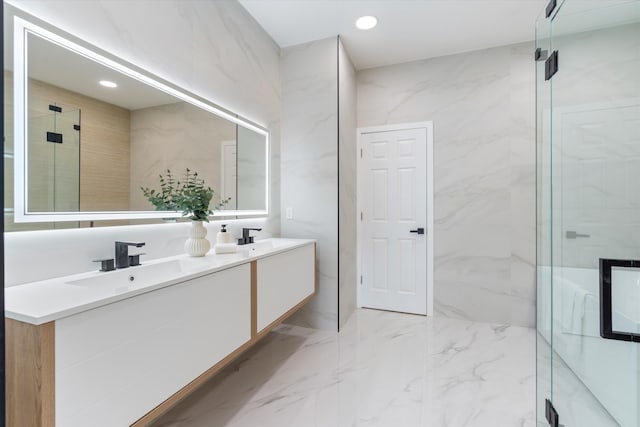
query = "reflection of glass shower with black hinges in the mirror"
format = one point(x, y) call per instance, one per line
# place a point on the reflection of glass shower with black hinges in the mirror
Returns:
point(54, 159)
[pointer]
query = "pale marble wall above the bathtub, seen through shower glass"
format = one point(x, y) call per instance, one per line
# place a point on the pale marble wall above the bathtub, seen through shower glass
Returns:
point(596, 145)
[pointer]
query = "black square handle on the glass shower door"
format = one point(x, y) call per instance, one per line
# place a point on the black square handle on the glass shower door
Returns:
point(606, 311)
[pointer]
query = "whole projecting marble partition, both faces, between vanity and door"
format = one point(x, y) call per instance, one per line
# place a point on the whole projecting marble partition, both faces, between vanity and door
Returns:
point(319, 171)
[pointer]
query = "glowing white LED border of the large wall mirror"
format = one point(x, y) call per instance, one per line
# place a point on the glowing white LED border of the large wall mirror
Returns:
point(22, 28)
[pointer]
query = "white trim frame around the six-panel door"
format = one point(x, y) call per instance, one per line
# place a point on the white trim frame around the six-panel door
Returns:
point(428, 125)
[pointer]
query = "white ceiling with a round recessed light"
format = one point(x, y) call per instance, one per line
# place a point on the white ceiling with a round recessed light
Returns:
point(407, 30)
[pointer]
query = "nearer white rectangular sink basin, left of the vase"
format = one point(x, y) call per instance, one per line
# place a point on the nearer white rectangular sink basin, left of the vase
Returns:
point(138, 276)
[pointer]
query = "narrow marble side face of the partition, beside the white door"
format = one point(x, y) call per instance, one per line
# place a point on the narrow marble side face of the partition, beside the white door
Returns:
point(347, 156)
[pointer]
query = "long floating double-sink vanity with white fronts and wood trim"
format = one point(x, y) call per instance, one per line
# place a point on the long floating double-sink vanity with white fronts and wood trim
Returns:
point(120, 348)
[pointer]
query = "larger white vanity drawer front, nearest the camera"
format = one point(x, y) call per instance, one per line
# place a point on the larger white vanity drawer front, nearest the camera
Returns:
point(118, 362)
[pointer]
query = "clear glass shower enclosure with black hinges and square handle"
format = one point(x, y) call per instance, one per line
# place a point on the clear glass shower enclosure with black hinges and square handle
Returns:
point(588, 214)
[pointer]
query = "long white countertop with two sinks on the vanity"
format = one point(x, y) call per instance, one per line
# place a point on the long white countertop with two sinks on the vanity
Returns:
point(52, 299)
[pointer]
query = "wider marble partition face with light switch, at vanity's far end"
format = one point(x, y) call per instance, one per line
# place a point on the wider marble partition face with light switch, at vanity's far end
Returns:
point(310, 166)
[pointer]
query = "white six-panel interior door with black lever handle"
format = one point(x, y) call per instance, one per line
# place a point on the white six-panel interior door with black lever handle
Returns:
point(395, 224)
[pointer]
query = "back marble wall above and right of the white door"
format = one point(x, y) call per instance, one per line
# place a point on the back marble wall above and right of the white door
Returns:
point(482, 106)
